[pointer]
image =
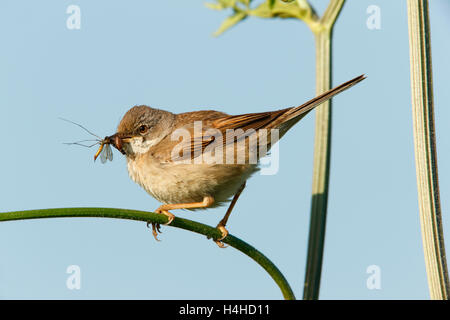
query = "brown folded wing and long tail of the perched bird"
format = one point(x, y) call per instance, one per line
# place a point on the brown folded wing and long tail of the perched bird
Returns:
point(204, 131)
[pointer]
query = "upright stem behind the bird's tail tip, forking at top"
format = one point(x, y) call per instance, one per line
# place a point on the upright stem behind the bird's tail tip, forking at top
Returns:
point(322, 151)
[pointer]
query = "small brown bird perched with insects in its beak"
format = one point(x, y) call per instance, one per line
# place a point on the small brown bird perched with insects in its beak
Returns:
point(201, 170)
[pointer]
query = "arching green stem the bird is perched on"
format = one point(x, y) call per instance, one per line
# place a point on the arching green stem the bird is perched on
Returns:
point(189, 225)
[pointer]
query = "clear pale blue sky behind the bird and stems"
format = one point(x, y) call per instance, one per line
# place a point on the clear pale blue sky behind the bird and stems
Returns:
point(162, 53)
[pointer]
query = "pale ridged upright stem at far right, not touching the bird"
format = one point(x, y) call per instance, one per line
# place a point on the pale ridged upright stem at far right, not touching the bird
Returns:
point(425, 149)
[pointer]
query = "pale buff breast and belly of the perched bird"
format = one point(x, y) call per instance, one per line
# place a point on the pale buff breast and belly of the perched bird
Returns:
point(190, 179)
